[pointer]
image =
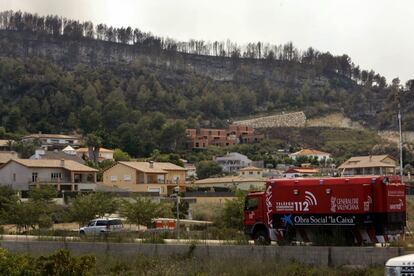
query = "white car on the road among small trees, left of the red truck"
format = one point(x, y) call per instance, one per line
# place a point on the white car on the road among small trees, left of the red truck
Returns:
point(102, 226)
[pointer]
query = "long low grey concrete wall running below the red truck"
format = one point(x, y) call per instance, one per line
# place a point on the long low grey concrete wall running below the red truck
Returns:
point(321, 256)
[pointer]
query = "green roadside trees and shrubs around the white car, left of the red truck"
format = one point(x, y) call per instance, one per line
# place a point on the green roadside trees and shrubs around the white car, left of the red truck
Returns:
point(39, 215)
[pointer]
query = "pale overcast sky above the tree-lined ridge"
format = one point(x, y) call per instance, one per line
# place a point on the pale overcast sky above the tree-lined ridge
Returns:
point(376, 34)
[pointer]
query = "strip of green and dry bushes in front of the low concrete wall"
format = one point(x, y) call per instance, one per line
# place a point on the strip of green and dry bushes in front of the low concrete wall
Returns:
point(63, 263)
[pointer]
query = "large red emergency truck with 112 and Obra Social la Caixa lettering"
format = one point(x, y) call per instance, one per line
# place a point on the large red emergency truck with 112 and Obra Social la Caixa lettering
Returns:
point(354, 210)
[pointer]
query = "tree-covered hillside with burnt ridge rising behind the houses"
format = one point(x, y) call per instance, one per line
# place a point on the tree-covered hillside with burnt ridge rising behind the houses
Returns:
point(128, 88)
